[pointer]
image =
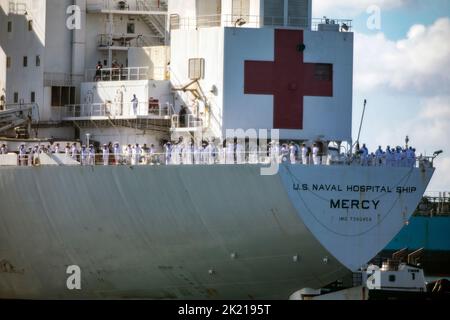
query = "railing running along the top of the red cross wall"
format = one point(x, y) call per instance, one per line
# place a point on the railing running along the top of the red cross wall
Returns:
point(256, 21)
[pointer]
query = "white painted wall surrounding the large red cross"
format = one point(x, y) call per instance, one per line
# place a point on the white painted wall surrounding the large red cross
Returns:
point(329, 117)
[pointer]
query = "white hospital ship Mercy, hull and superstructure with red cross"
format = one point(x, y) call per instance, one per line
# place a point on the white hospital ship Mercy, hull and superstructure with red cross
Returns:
point(148, 72)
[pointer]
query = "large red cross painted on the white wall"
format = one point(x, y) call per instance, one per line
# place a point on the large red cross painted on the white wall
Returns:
point(288, 79)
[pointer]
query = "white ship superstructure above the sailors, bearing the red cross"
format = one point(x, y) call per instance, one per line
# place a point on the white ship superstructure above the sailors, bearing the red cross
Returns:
point(191, 53)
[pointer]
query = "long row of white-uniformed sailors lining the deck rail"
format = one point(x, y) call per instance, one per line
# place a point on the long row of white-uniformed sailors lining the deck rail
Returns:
point(181, 153)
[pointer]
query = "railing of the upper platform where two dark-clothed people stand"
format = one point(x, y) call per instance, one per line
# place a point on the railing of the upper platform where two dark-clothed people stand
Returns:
point(125, 74)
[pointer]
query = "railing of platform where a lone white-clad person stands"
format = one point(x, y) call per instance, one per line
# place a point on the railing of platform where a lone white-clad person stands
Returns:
point(112, 110)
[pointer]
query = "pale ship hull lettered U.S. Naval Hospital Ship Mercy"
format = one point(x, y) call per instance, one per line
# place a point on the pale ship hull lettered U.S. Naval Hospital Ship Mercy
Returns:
point(188, 232)
